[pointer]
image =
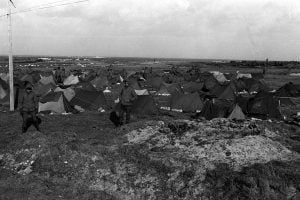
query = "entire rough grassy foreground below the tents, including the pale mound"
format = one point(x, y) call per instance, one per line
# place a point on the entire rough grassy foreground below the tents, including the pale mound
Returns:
point(84, 156)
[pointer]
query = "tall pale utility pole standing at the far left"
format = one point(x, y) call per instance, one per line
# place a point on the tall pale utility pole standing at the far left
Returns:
point(10, 59)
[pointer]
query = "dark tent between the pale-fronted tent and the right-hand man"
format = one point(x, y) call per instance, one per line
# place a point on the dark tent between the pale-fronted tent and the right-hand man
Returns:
point(90, 100)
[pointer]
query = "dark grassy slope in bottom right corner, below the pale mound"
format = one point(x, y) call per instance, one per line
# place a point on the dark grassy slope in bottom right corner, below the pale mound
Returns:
point(274, 180)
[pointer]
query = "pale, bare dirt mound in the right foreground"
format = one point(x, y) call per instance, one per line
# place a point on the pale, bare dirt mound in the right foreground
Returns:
point(171, 160)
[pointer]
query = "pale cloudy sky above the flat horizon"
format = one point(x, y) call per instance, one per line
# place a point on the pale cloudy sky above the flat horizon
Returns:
point(201, 29)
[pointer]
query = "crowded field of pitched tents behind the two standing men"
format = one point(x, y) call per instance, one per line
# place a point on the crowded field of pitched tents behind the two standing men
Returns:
point(212, 95)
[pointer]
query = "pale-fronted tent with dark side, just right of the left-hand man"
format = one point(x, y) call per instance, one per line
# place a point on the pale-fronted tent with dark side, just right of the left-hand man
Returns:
point(55, 102)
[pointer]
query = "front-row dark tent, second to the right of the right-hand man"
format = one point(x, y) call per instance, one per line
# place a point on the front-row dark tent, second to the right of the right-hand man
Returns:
point(187, 102)
